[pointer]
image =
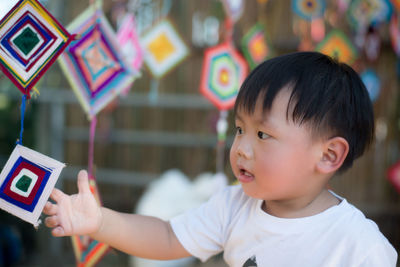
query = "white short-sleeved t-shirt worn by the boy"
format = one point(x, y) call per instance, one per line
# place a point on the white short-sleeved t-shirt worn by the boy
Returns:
point(235, 223)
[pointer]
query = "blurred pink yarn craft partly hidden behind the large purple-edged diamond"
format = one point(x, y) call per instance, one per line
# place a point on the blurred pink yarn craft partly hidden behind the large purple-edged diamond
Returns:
point(129, 41)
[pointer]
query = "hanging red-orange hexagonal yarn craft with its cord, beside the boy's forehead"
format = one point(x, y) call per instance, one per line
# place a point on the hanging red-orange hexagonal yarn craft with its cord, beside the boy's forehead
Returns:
point(223, 72)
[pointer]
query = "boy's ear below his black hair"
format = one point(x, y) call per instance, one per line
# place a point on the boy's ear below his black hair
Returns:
point(334, 153)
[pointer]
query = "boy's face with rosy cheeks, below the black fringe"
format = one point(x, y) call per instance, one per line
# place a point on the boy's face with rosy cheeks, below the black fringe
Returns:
point(272, 157)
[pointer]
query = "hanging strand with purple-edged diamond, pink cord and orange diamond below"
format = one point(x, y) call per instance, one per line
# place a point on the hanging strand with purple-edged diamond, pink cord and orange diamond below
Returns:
point(98, 73)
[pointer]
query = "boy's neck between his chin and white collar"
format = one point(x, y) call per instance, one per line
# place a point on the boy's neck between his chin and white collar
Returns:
point(301, 207)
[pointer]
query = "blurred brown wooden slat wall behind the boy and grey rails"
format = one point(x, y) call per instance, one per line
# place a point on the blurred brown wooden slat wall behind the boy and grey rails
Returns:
point(365, 185)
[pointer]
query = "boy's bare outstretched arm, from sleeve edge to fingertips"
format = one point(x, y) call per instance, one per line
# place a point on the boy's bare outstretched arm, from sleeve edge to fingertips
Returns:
point(142, 236)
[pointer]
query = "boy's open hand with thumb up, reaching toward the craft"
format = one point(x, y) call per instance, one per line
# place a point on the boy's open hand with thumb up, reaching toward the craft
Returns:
point(77, 214)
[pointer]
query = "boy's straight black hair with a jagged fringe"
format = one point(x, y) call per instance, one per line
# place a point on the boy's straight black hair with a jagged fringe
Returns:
point(326, 95)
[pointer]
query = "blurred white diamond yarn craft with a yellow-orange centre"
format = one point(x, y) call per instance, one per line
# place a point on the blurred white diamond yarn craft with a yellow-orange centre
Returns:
point(164, 49)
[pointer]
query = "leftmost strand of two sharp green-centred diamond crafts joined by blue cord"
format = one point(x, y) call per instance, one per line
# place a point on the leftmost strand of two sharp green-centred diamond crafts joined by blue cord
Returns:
point(30, 41)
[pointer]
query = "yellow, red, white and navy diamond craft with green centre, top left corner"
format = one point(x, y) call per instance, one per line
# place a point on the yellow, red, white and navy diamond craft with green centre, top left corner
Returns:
point(31, 39)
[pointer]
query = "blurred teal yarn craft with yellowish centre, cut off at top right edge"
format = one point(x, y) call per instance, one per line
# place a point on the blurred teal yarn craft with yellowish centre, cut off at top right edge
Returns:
point(362, 13)
